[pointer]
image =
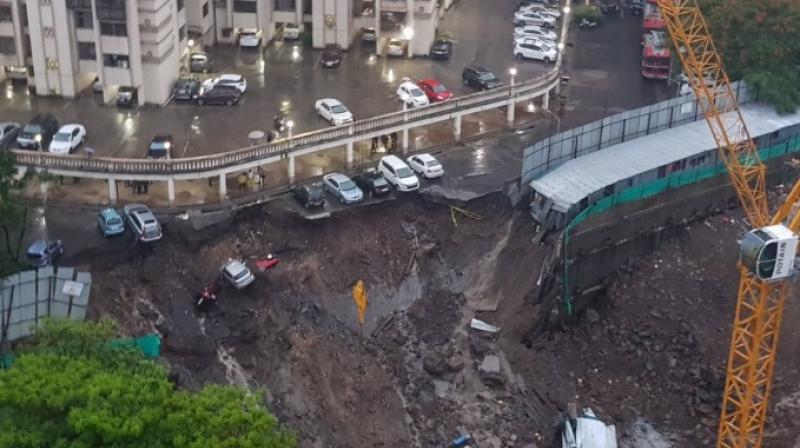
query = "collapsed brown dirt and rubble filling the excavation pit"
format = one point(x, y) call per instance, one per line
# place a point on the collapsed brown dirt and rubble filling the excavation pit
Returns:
point(649, 358)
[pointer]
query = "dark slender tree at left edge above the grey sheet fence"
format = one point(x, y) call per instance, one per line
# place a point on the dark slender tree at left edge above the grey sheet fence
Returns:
point(13, 214)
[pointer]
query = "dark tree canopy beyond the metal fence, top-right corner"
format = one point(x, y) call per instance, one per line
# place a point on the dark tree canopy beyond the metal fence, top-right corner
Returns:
point(760, 42)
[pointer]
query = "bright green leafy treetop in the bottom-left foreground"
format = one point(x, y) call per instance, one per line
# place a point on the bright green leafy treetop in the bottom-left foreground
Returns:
point(69, 388)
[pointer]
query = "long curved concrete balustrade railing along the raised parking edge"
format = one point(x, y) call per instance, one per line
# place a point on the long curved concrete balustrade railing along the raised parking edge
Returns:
point(366, 128)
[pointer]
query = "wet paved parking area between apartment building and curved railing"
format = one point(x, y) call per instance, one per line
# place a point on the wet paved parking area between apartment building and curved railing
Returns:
point(284, 75)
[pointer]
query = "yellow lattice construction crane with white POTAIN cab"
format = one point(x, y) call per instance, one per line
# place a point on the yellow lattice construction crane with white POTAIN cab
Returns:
point(766, 253)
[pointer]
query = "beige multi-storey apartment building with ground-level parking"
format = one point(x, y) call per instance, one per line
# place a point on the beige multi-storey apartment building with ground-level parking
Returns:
point(62, 46)
